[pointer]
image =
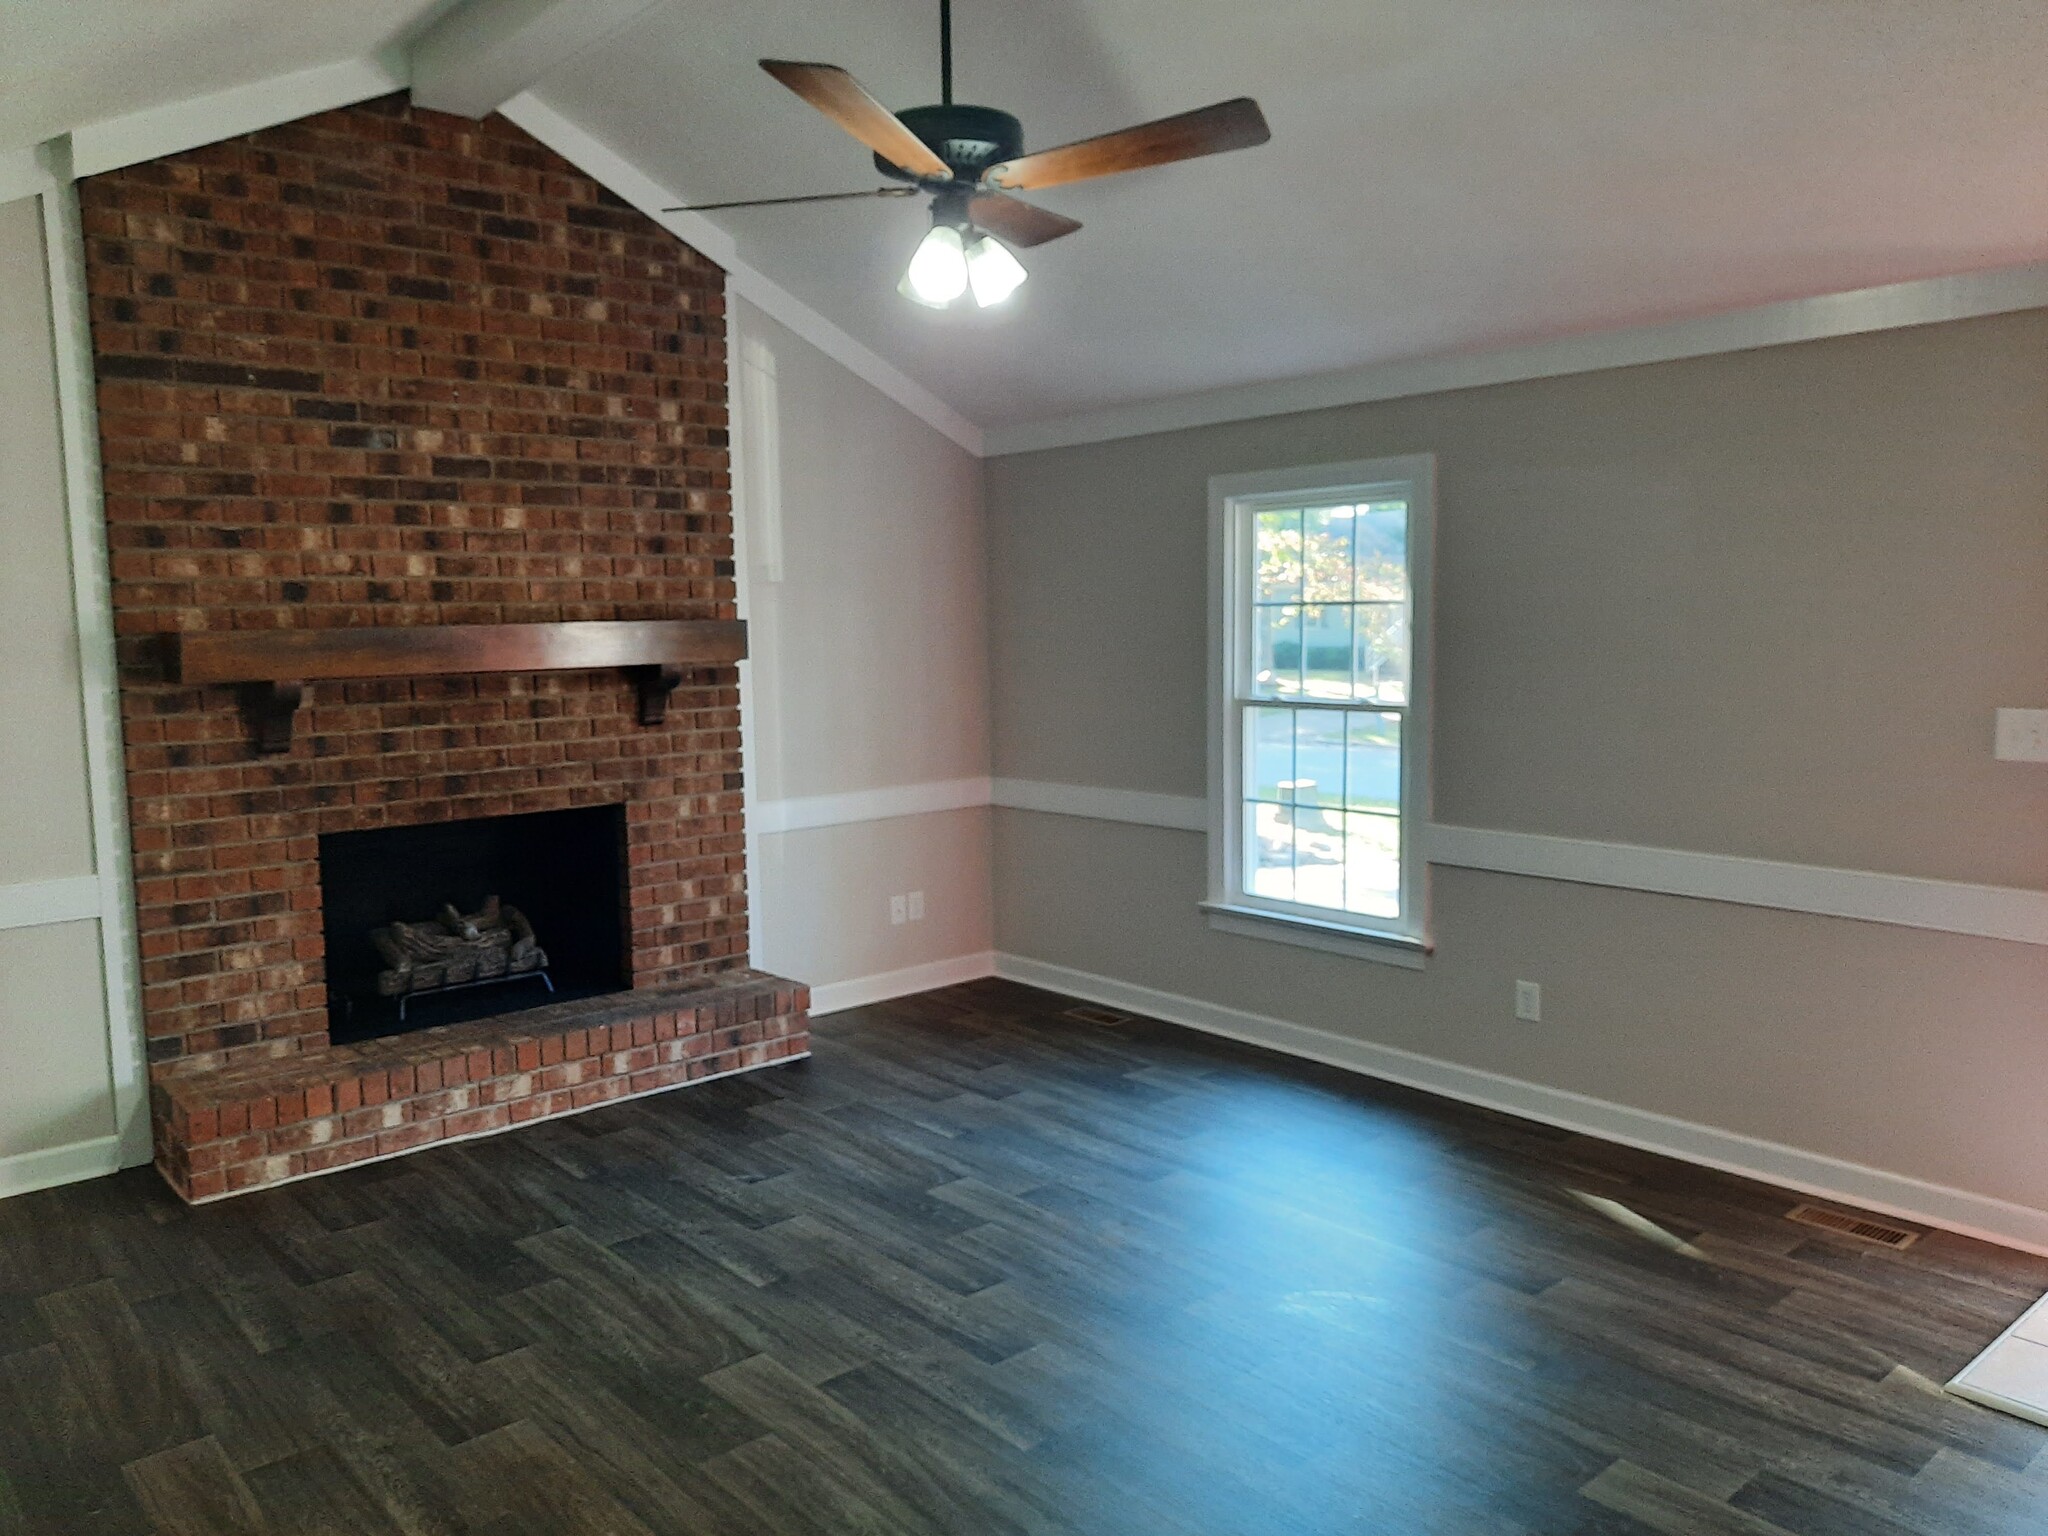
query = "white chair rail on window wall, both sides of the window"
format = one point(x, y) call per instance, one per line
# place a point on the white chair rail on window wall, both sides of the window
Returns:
point(1865, 896)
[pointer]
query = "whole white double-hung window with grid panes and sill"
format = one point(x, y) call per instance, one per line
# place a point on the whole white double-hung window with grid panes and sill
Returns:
point(1320, 703)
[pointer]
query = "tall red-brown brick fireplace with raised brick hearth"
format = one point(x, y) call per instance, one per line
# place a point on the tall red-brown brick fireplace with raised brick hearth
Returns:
point(386, 370)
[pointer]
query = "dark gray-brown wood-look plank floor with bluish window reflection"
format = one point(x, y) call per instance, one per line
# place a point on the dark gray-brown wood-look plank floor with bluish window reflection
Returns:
point(982, 1269)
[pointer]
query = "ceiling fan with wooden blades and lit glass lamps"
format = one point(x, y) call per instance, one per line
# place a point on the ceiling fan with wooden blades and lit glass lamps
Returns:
point(972, 159)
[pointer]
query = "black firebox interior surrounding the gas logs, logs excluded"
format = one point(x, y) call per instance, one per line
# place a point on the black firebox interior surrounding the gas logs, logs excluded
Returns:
point(564, 869)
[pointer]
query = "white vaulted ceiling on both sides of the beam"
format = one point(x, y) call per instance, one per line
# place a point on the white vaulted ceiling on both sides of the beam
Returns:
point(1445, 175)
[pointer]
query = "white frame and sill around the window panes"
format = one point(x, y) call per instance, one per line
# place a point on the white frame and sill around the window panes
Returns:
point(1232, 505)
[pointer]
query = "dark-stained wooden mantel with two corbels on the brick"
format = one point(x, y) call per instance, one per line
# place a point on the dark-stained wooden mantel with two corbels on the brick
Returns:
point(280, 663)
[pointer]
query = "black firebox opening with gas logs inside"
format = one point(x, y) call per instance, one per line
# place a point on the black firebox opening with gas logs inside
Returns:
point(460, 921)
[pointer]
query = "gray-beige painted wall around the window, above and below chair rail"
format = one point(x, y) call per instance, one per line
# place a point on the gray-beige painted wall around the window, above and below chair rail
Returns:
point(1754, 605)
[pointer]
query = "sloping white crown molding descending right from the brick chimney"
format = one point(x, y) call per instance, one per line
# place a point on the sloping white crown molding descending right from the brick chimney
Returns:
point(597, 159)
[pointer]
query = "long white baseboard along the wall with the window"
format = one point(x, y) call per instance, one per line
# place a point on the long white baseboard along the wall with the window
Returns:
point(1807, 1172)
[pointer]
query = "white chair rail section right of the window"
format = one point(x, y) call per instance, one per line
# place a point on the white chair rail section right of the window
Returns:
point(1865, 896)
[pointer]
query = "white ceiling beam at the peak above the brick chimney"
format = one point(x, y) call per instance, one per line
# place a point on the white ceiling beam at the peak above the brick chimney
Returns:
point(486, 52)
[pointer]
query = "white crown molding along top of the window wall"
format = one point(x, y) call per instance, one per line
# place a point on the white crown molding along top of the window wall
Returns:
point(1893, 306)
